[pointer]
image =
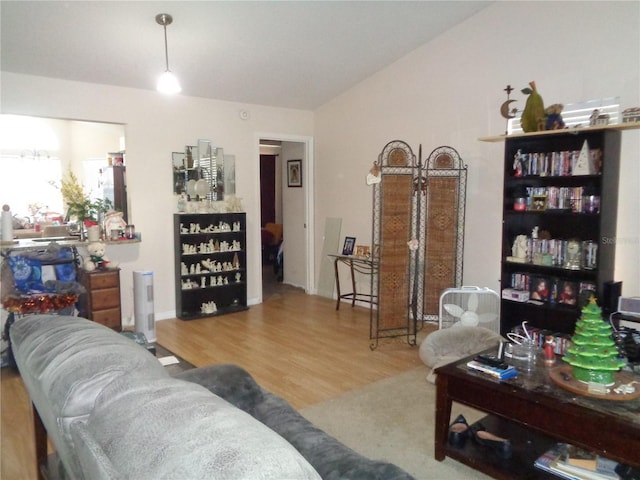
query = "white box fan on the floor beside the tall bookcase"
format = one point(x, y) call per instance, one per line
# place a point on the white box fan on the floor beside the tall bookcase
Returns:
point(470, 306)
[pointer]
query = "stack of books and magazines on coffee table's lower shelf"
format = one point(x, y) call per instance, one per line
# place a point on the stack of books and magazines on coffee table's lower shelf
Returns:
point(573, 463)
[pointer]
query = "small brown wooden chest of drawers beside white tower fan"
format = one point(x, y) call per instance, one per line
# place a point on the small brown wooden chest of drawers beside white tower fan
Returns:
point(101, 302)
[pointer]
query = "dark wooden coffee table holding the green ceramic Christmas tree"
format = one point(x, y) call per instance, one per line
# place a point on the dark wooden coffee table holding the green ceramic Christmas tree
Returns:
point(534, 413)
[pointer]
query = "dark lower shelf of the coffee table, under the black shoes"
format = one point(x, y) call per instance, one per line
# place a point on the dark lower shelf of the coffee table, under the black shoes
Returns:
point(527, 445)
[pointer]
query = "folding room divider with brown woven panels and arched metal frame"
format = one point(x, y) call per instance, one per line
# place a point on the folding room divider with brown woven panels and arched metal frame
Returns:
point(418, 233)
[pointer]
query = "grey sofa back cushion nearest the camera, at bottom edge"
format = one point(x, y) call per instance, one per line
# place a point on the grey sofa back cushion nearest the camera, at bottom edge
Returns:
point(167, 428)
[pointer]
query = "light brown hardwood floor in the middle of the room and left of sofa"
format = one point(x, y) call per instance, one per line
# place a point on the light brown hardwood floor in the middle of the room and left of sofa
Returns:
point(295, 345)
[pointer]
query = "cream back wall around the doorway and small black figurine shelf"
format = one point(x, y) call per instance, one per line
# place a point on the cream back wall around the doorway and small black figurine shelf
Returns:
point(157, 125)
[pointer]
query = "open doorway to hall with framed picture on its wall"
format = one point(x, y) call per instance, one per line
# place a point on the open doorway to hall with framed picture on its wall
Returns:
point(290, 207)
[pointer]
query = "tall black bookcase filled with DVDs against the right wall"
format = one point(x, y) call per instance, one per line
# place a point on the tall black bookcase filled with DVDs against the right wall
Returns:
point(562, 224)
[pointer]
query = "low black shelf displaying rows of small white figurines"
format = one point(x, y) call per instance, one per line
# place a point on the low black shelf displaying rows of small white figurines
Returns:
point(210, 264)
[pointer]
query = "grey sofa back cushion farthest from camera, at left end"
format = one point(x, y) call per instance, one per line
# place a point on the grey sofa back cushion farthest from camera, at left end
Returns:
point(65, 362)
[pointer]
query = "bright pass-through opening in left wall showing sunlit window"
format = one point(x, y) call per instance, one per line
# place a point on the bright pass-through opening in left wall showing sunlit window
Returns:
point(48, 149)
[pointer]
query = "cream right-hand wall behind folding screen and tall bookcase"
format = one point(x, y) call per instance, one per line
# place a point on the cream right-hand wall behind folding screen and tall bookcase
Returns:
point(449, 92)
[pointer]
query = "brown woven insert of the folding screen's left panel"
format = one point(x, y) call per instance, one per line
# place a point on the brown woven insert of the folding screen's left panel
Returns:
point(394, 259)
